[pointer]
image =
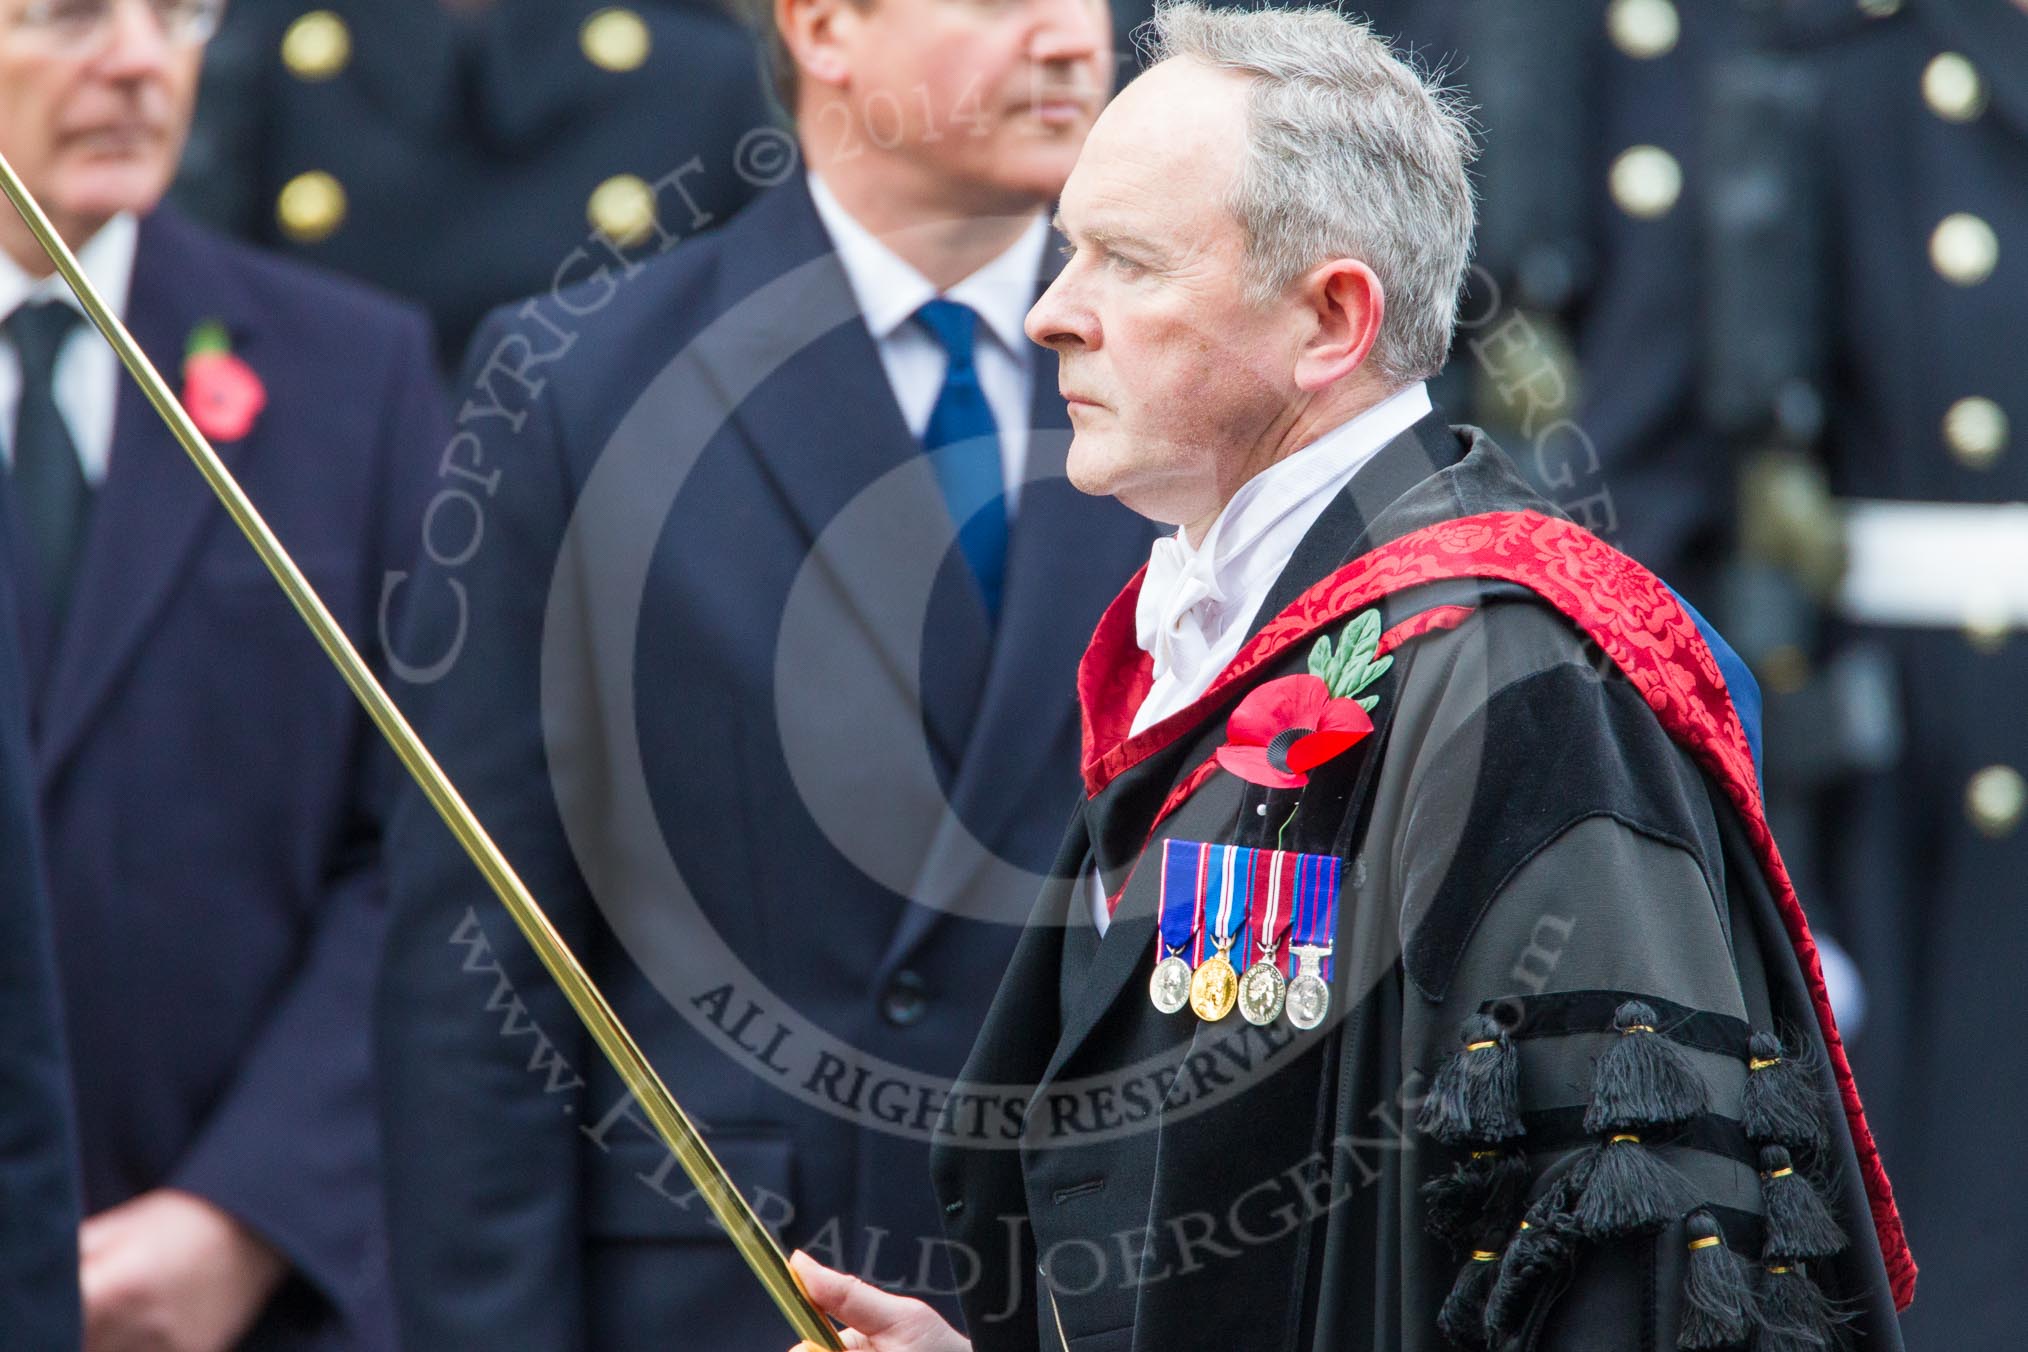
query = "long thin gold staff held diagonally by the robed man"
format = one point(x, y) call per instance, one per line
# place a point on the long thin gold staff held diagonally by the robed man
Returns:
point(764, 1256)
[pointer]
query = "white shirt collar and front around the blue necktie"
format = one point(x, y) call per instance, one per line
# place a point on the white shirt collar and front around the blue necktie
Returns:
point(1003, 293)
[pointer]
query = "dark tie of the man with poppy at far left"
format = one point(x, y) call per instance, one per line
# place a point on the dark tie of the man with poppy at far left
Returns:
point(48, 479)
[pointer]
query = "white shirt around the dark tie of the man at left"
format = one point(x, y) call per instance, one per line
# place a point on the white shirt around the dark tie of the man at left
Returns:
point(88, 372)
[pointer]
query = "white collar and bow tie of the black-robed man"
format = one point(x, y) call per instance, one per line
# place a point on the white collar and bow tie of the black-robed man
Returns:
point(1196, 605)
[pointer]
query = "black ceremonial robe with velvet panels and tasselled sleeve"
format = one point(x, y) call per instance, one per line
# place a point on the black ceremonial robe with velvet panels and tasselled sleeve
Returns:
point(1520, 840)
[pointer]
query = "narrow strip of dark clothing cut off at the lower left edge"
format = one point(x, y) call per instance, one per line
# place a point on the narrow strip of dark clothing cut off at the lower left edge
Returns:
point(38, 1173)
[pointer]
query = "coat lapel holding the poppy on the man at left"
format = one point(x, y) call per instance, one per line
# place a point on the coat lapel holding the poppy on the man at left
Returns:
point(153, 508)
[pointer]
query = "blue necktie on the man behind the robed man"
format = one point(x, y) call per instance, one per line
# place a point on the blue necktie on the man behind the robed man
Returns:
point(964, 447)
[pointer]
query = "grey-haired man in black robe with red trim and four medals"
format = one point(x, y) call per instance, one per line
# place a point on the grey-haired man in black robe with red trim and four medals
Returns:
point(1421, 970)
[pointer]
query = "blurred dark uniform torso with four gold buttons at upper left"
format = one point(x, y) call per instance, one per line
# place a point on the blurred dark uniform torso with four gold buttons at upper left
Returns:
point(457, 151)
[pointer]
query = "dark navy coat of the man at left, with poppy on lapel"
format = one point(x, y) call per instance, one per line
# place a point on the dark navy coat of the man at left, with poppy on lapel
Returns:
point(212, 796)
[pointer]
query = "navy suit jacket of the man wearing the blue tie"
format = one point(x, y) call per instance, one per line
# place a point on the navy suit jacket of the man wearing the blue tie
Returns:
point(735, 804)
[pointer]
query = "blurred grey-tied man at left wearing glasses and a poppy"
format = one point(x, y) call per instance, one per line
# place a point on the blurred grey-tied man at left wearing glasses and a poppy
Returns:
point(208, 790)
